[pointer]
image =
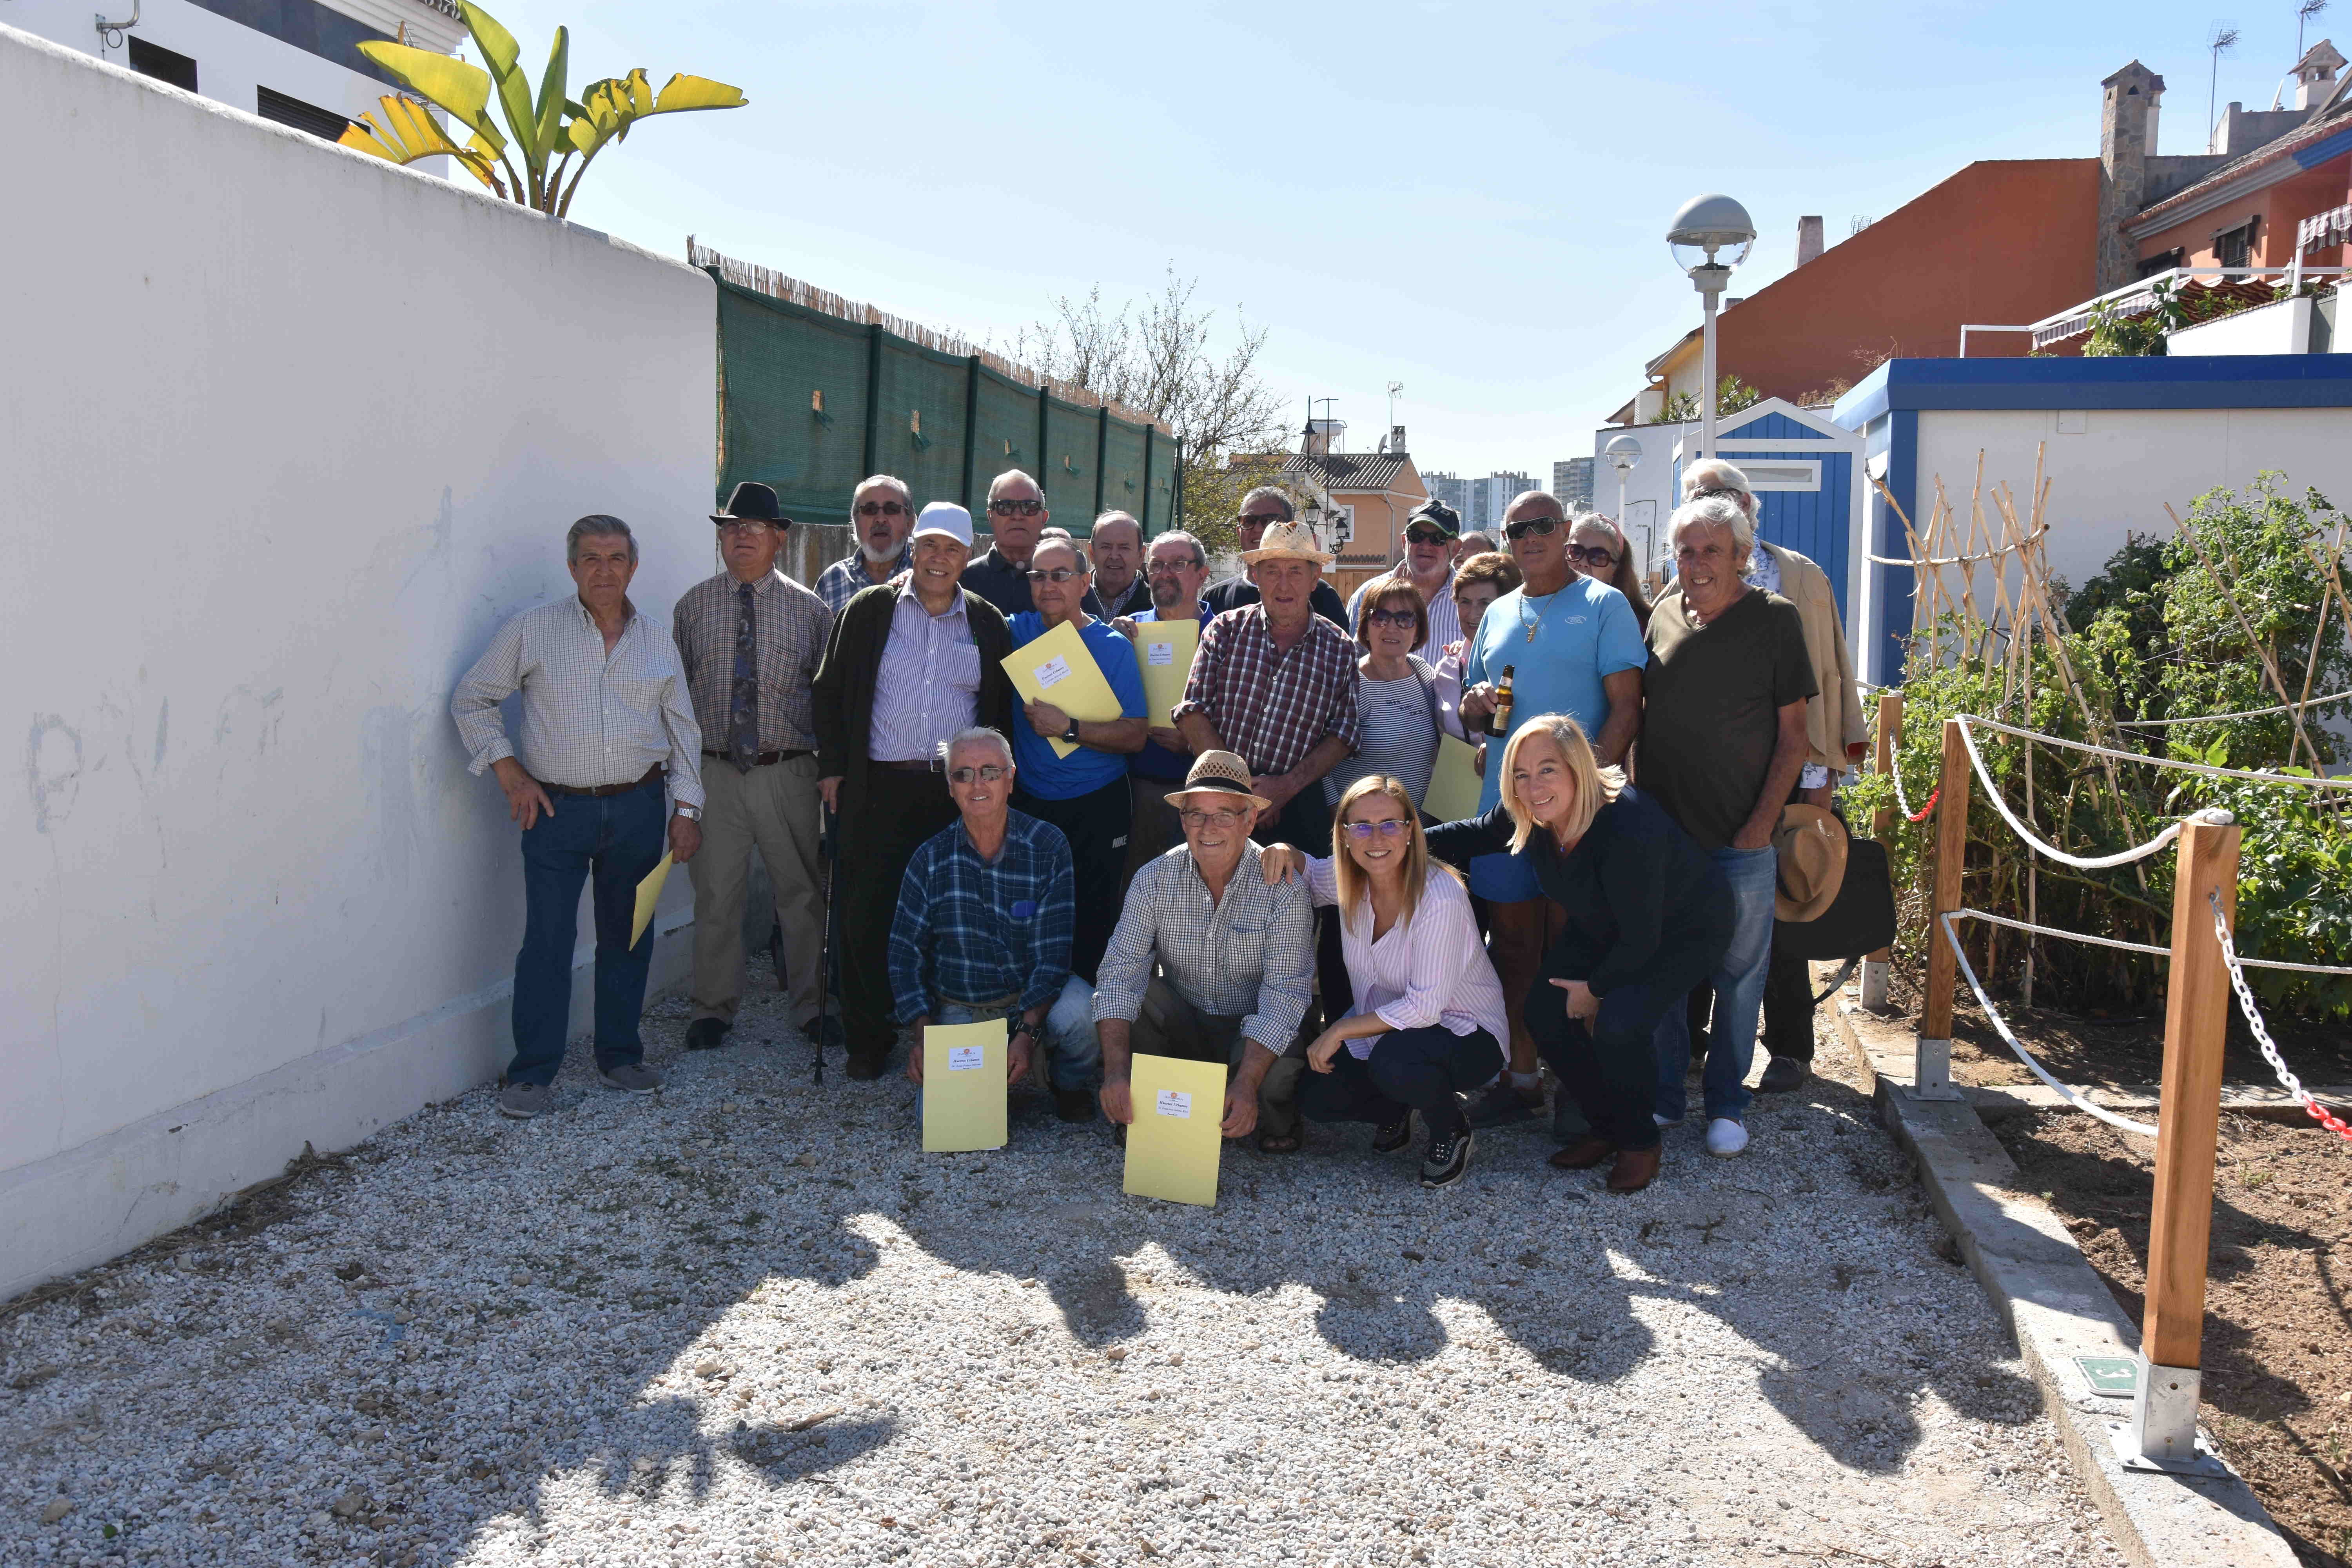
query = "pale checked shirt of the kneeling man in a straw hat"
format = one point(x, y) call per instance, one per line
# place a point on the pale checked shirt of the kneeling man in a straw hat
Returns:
point(1250, 953)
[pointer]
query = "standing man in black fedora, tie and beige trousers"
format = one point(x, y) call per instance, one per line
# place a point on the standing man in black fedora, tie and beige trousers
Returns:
point(751, 641)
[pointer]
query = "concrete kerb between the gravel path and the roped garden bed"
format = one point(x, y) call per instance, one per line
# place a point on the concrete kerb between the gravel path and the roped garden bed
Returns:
point(2057, 1308)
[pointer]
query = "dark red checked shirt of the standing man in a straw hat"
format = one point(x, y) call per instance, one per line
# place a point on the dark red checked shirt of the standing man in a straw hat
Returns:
point(1271, 706)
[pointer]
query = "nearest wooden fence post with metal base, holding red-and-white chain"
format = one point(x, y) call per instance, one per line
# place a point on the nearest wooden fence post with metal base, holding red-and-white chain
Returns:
point(2163, 1433)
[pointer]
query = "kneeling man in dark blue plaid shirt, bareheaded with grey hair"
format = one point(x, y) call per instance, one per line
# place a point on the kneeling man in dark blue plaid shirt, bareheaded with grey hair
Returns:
point(984, 930)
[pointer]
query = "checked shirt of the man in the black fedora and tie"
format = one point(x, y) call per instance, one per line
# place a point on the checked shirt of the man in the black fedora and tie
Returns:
point(789, 629)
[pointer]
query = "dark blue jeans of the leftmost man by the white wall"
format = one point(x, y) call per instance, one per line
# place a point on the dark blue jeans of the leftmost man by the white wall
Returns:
point(615, 840)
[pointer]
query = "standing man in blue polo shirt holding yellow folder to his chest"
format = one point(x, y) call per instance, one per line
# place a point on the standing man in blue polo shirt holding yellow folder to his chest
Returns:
point(1083, 793)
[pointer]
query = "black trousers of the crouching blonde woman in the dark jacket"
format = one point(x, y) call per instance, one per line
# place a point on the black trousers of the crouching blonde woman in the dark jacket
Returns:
point(1610, 1064)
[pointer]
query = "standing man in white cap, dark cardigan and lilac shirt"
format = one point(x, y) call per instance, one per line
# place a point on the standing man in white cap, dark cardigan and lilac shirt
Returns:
point(907, 669)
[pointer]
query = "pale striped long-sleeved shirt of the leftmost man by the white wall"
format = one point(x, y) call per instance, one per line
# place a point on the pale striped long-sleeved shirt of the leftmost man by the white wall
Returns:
point(589, 718)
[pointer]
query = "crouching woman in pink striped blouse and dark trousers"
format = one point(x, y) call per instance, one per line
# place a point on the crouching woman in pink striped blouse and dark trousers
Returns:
point(1429, 1021)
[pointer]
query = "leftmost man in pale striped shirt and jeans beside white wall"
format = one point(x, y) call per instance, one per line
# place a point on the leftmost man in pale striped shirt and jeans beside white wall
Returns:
point(606, 713)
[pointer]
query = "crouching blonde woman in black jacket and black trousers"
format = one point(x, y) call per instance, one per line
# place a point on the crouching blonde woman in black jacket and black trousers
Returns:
point(1648, 918)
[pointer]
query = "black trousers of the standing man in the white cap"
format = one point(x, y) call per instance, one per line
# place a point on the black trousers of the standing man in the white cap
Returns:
point(881, 836)
